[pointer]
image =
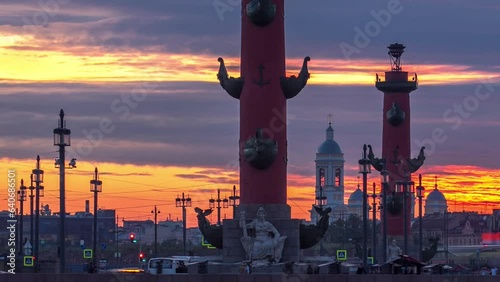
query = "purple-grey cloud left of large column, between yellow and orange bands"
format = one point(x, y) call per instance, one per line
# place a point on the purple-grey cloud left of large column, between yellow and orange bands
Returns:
point(187, 125)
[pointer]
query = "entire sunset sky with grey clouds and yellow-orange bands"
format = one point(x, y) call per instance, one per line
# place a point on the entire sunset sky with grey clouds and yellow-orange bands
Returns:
point(180, 133)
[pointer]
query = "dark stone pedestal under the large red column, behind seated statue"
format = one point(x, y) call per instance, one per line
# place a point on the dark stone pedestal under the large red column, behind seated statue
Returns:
point(278, 215)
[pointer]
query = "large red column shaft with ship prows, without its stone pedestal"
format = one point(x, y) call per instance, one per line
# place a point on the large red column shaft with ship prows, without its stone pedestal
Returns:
point(263, 90)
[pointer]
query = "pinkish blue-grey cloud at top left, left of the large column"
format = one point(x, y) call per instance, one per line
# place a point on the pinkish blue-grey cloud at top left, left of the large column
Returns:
point(165, 26)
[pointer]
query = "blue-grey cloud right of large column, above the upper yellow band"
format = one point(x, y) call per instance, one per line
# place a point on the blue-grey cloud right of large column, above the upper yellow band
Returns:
point(433, 31)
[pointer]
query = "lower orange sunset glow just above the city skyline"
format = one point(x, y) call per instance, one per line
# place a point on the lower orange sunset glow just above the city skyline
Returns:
point(134, 190)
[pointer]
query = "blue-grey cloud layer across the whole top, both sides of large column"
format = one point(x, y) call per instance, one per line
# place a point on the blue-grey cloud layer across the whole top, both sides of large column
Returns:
point(442, 32)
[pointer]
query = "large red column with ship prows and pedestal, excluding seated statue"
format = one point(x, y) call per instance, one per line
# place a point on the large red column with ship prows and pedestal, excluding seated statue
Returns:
point(263, 90)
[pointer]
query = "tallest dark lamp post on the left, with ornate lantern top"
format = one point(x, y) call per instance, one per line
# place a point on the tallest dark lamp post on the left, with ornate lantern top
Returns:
point(62, 138)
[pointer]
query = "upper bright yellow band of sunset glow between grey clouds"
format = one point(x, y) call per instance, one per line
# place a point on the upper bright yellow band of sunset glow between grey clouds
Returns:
point(95, 66)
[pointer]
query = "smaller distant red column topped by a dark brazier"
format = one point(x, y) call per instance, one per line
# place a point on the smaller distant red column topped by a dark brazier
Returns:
point(396, 143)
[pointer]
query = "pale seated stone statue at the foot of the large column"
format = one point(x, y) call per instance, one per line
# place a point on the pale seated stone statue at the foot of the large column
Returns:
point(264, 242)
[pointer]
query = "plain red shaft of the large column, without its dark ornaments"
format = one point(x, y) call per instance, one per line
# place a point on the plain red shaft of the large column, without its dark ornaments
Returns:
point(263, 105)
